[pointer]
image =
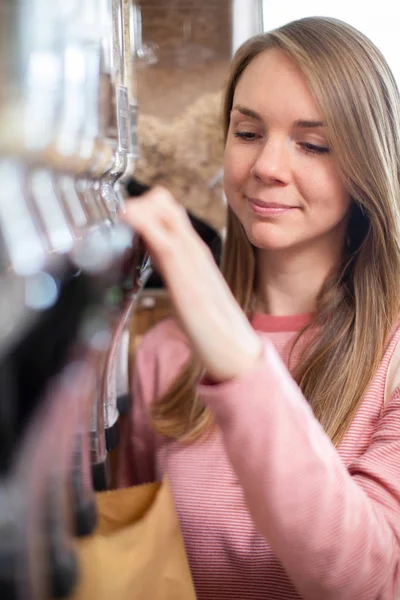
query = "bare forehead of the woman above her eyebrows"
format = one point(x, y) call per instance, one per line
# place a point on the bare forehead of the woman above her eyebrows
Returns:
point(273, 85)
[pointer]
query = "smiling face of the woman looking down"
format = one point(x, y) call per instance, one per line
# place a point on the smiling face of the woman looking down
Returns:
point(281, 179)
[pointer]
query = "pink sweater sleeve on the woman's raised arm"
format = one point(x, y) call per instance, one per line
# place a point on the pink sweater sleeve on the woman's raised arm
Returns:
point(335, 530)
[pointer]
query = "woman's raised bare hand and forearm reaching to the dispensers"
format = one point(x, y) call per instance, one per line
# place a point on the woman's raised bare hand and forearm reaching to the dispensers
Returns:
point(215, 324)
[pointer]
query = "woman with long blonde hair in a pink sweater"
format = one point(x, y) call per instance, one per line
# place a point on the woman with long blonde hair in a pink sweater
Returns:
point(287, 486)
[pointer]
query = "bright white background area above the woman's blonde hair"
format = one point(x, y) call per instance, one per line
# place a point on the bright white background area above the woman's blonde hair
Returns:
point(378, 19)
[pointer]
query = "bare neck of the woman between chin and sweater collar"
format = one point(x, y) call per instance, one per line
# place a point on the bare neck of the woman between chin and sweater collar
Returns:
point(289, 285)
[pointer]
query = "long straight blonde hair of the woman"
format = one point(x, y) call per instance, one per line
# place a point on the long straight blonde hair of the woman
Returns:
point(359, 303)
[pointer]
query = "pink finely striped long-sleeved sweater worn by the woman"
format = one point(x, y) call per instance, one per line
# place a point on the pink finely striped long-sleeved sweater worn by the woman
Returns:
point(268, 507)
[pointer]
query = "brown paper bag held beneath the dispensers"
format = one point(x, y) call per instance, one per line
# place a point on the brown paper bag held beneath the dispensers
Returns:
point(136, 552)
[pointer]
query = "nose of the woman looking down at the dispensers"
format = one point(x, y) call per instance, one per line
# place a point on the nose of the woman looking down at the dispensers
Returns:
point(272, 163)
